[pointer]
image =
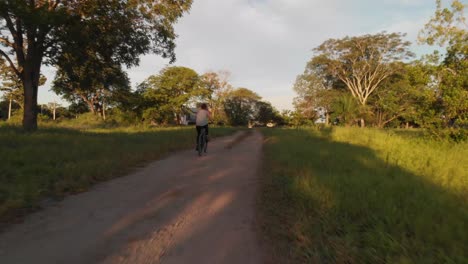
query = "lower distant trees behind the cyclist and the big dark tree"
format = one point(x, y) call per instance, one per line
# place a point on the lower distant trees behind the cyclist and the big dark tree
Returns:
point(162, 99)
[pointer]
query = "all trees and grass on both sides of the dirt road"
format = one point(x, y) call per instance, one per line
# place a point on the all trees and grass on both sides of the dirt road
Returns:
point(334, 195)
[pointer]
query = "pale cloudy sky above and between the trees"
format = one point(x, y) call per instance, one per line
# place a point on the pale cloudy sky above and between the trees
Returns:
point(265, 44)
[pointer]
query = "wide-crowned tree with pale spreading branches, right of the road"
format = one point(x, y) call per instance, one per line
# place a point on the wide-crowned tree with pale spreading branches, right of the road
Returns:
point(362, 62)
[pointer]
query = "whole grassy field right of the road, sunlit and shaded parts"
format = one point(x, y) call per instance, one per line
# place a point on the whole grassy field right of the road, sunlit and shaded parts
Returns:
point(364, 196)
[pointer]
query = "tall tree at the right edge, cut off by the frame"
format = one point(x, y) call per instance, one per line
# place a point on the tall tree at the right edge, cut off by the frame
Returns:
point(448, 28)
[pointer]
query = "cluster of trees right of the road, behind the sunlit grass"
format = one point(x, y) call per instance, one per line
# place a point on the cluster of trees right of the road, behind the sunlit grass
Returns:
point(371, 80)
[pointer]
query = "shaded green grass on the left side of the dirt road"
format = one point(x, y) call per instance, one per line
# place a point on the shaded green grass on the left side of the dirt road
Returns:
point(56, 161)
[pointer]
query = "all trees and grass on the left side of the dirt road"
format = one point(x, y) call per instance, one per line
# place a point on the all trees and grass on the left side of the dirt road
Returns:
point(103, 126)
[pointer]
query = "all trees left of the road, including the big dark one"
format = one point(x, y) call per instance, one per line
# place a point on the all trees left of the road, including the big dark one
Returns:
point(90, 43)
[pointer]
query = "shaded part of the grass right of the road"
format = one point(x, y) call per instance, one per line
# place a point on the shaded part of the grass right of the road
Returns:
point(344, 204)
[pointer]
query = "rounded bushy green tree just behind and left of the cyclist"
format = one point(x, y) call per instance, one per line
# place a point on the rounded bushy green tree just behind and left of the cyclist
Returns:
point(170, 93)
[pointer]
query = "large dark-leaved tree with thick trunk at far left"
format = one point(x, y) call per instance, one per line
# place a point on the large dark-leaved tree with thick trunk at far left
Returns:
point(33, 32)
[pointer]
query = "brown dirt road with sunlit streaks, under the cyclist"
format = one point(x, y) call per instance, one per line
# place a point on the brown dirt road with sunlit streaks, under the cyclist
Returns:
point(183, 209)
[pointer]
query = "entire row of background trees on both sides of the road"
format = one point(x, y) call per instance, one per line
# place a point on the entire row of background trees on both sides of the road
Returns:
point(369, 80)
